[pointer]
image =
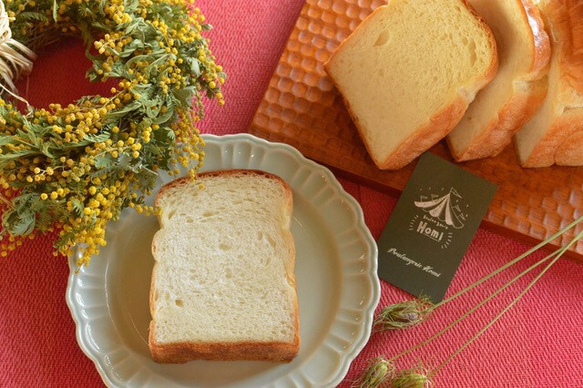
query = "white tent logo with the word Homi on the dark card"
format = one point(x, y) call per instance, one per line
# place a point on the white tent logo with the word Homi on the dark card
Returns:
point(442, 212)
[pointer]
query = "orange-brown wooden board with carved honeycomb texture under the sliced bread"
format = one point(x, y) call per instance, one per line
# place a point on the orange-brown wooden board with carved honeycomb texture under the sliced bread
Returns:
point(302, 108)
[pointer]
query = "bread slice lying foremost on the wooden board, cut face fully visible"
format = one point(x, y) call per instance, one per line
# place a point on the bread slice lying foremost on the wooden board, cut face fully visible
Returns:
point(408, 72)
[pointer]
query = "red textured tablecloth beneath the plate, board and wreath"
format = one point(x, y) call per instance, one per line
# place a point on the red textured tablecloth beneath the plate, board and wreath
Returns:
point(537, 344)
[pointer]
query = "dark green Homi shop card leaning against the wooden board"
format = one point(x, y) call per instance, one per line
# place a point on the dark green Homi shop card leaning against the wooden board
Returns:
point(432, 226)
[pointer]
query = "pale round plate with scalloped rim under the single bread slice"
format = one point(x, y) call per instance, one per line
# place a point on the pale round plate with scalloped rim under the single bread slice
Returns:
point(338, 288)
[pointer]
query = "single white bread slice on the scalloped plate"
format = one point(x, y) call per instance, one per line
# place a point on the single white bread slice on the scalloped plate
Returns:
point(223, 284)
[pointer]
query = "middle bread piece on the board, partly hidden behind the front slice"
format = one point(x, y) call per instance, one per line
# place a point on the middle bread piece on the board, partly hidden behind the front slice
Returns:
point(519, 88)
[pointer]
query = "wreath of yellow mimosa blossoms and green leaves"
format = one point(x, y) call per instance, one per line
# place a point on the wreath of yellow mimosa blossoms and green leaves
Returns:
point(72, 169)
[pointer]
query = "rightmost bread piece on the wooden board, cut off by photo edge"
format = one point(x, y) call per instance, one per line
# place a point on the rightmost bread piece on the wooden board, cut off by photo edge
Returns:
point(555, 133)
